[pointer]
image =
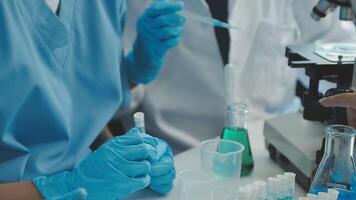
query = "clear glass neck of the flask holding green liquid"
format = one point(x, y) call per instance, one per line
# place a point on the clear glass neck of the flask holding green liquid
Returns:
point(236, 116)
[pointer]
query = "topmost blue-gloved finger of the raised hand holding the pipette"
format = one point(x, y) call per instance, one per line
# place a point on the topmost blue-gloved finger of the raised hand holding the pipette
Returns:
point(163, 8)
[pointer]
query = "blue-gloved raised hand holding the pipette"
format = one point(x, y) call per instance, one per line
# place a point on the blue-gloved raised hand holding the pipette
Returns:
point(158, 30)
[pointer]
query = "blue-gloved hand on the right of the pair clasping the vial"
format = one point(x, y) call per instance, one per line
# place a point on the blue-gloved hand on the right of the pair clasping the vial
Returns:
point(163, 170)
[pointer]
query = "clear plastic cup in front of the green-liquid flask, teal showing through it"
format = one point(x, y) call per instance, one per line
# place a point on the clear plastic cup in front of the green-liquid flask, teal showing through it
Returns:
point(223, 158)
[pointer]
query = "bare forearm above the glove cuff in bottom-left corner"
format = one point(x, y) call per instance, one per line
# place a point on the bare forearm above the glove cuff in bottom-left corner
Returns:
point(22, 190)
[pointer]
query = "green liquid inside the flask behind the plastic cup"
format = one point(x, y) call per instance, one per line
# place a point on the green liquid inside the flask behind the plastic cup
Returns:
point(241, 135)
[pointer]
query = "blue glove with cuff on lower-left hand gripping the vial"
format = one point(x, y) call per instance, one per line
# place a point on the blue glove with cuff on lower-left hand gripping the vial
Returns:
point(118, 168)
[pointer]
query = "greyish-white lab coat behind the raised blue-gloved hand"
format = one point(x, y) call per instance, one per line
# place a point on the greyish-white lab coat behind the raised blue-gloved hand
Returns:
point(185, 105)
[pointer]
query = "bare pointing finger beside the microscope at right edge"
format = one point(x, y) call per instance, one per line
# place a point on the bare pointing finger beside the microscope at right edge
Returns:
point(342, 100)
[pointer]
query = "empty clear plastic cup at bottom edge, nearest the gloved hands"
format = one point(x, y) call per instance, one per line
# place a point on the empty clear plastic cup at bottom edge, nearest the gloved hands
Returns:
point(195, 184)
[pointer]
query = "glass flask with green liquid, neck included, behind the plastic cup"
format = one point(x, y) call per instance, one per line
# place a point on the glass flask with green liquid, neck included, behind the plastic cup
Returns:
point(236, 130)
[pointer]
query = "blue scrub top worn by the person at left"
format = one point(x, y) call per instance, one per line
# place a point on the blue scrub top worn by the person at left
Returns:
point(61, 81)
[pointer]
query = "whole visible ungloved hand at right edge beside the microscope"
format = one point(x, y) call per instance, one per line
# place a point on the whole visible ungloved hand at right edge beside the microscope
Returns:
point(347, 100)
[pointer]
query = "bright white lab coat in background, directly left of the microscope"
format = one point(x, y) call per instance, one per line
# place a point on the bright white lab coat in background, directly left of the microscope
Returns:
point(266, 83)
